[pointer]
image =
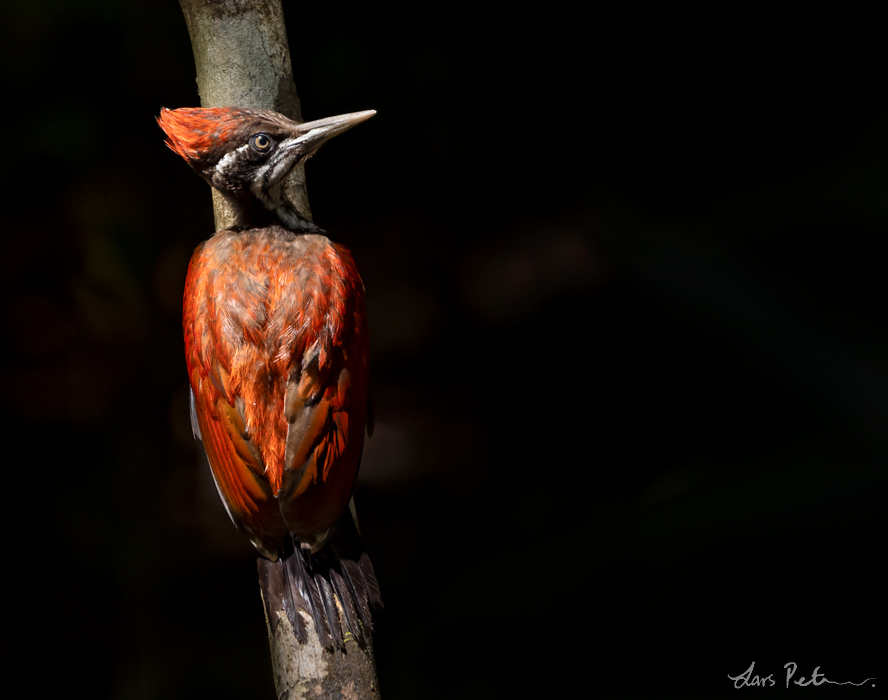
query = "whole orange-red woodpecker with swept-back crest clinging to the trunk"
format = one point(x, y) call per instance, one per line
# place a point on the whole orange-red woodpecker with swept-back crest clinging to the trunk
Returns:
point(276, 350)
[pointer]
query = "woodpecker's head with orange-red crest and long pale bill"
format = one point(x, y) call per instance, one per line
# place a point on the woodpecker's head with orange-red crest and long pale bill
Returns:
point(247, 153)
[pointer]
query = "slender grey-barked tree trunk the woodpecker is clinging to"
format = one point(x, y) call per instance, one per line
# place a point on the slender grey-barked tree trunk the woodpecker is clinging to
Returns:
point(243, 60)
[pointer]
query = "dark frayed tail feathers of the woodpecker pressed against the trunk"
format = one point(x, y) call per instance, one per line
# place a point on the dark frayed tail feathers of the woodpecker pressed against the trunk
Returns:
point(340, 572)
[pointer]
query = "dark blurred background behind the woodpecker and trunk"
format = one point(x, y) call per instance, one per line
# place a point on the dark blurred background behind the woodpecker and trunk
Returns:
point(630, 351)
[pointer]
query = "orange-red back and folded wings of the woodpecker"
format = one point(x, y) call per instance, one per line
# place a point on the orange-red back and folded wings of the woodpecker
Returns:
point(280, 402)
